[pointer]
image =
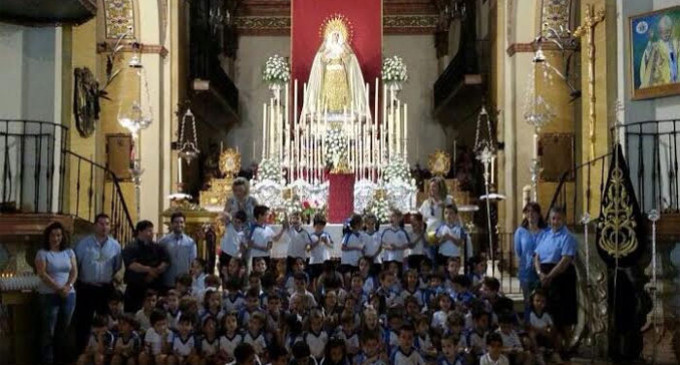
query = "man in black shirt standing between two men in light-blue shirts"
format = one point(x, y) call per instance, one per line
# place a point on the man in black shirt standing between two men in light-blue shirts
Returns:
point(145, 262)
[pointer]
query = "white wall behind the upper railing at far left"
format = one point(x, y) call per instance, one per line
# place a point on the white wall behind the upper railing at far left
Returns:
point(27, 92)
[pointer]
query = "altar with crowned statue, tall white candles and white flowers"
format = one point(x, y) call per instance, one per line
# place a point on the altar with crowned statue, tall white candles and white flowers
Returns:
point(335, 132)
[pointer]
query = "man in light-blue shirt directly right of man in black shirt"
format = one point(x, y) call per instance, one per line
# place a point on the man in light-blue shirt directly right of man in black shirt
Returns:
point(181, 250)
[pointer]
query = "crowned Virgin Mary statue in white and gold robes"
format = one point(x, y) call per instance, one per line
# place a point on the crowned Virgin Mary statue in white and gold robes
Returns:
point(335, 81)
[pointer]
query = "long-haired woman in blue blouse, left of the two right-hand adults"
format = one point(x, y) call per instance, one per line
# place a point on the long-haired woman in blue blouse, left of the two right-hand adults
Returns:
point(526, 239)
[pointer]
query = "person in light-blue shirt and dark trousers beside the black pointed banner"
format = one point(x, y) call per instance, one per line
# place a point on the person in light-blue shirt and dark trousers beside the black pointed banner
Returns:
point(553, 261)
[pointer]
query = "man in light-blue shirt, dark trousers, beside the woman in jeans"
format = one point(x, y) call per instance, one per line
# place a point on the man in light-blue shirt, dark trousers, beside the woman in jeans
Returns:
point(99, 259)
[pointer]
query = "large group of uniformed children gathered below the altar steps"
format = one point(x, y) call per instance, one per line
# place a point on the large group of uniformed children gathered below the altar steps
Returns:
point(394, 299)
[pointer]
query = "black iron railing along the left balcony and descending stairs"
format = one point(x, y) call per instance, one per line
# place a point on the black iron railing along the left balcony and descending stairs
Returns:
point(39, 175)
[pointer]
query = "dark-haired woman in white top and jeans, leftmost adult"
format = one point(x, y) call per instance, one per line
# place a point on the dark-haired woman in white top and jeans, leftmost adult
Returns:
point(56, 266)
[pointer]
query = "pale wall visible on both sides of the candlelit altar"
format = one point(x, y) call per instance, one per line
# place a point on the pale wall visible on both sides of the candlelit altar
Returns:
point(419, 55)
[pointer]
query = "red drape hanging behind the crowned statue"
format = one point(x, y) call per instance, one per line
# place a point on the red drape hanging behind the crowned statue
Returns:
point(365, 17)
